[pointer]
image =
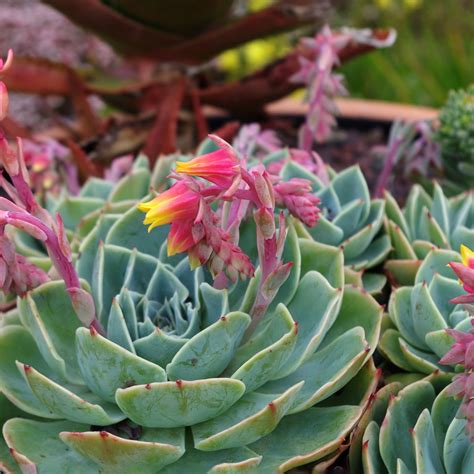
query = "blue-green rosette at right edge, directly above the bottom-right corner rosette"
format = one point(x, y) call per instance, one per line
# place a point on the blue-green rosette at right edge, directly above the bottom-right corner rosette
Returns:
point(415, 335)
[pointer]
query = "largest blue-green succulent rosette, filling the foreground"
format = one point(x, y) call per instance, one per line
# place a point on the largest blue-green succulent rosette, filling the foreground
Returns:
point(166, 377)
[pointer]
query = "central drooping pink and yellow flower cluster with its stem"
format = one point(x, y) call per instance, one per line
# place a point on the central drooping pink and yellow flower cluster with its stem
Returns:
point(211, 239)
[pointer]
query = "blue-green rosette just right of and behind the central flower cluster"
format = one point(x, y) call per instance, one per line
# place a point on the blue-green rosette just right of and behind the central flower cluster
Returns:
point(349, 219)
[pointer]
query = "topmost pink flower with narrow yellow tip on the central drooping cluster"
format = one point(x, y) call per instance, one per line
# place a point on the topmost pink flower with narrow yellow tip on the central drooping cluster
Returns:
point(220, 167)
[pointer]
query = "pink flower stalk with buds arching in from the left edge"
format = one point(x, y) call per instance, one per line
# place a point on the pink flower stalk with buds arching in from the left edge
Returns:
point(23, 212)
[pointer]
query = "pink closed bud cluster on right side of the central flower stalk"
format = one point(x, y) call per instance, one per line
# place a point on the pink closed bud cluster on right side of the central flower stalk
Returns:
point(296, 196)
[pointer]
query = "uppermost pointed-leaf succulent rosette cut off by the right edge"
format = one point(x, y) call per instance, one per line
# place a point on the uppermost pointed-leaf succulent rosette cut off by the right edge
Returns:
point(426, 222)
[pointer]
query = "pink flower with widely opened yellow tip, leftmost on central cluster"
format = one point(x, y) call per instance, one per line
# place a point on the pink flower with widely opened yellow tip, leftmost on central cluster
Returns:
point(178, 203)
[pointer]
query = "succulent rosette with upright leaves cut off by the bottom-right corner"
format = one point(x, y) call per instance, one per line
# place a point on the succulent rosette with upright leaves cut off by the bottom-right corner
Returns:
point(412, 429)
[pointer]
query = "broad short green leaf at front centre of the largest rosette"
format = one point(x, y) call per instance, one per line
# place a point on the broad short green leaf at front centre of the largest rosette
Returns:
point(180, 403)
